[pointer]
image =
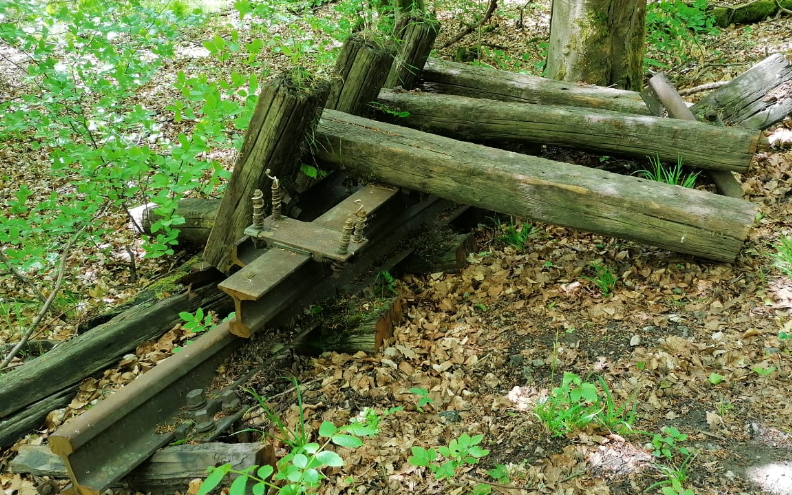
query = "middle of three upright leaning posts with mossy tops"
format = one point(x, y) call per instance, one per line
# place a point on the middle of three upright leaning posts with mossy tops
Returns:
point(360, 72)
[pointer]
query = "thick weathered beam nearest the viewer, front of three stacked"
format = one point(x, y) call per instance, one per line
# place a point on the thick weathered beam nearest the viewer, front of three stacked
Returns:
point(671, 217)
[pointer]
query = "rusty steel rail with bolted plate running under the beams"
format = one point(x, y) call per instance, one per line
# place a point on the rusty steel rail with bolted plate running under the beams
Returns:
point(106, 442)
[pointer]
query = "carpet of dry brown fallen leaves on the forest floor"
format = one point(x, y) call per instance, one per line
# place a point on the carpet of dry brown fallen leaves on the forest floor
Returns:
point(685, 343)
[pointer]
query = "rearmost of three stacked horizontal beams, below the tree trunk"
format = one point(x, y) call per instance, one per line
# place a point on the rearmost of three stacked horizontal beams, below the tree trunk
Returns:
point(440, 76)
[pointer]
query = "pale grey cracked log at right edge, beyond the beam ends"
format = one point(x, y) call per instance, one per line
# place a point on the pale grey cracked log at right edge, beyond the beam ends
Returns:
point(756, 99)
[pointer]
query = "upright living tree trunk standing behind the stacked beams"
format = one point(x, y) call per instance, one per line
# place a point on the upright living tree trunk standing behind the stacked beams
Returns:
point(598, 42)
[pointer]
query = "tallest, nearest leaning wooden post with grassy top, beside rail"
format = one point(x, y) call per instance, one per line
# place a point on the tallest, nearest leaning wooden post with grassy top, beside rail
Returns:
point(275, 141)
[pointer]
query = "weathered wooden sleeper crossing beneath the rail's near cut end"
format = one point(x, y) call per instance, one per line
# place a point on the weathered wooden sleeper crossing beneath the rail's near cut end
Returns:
point(168, 471)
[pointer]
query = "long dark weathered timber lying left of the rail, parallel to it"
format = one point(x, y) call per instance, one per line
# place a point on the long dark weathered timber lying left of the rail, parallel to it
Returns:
point(70, 362)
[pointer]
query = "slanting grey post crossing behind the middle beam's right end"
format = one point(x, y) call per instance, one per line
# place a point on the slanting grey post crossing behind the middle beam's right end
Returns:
point(669, 99)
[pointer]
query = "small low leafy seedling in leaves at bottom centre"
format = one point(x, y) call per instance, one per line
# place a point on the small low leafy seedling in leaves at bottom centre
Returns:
point(460, 452)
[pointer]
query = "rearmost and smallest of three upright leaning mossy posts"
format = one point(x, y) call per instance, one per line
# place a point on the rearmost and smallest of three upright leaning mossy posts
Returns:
point(416, 41)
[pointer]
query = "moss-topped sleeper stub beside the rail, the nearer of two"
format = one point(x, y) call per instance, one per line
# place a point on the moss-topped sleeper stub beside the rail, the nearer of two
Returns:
point(355, 325)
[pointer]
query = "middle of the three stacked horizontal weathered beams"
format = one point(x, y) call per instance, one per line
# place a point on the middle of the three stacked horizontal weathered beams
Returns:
point(472, 119)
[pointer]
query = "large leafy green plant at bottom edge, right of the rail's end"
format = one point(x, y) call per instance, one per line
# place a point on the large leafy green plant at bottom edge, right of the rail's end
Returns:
point(300, 470)
